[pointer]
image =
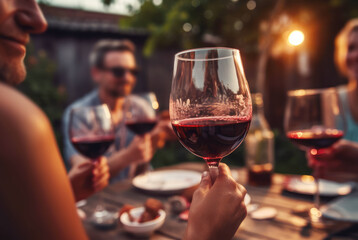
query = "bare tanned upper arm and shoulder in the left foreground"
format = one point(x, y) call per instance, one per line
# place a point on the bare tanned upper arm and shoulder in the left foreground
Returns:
point(36, 200)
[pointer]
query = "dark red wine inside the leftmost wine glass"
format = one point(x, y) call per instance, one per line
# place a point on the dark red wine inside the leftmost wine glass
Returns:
point(92, 147)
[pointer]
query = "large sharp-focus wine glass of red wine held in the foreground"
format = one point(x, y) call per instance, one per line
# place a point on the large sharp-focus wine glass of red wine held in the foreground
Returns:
point(210, 103)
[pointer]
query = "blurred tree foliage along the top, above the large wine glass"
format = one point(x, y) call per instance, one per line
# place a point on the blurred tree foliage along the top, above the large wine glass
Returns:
point(232, 23)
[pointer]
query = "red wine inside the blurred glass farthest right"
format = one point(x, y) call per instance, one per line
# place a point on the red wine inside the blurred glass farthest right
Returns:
point(315, 139)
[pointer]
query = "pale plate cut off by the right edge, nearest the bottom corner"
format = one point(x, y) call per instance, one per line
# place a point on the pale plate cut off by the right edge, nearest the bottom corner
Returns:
point(342, 209)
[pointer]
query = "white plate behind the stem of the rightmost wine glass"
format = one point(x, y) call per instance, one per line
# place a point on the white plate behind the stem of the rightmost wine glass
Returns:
point(306, 185)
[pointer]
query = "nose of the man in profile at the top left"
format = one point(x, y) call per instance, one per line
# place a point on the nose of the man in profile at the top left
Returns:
point(30, 17)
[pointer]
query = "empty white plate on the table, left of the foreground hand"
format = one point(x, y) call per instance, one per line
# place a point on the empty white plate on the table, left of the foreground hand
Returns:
point(167, 181)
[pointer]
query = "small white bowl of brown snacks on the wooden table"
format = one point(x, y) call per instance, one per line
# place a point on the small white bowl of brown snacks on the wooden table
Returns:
point(143, 221)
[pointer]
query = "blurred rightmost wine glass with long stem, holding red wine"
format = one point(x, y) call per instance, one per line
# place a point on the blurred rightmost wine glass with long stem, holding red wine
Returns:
point(314, 121)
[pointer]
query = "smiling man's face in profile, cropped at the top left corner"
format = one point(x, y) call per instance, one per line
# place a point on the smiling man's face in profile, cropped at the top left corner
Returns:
point(18, 18)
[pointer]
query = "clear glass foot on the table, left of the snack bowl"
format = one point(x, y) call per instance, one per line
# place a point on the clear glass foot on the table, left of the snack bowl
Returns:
point(104, 219)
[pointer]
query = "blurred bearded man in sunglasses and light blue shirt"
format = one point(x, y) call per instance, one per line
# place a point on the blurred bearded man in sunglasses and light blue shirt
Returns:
point(114, 70)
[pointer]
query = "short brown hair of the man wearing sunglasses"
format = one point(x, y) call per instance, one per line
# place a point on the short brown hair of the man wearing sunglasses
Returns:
point(102, 47)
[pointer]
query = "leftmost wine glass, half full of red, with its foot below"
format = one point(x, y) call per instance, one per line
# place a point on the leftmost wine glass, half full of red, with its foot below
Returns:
point(91, 133)
